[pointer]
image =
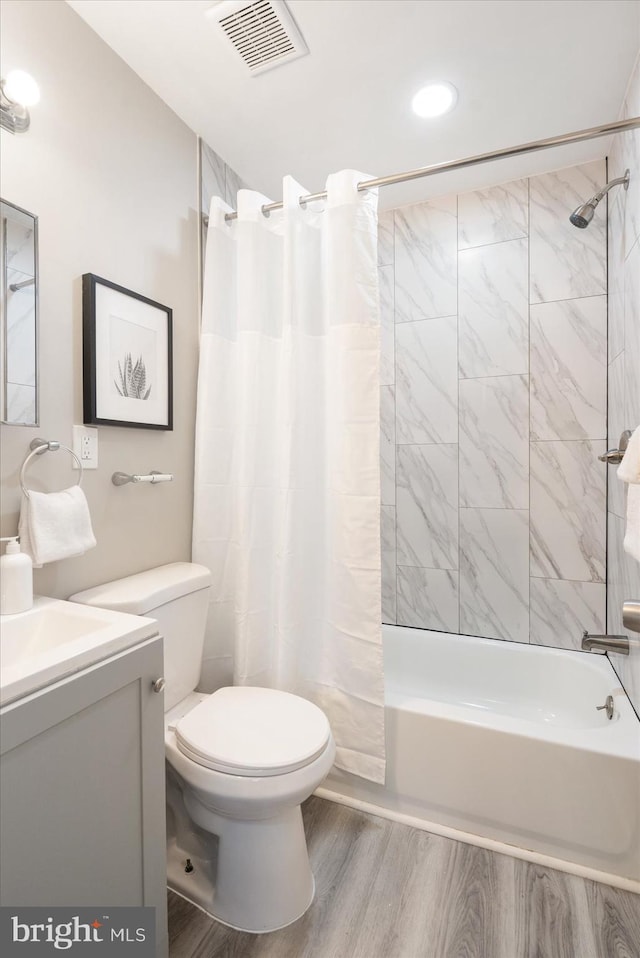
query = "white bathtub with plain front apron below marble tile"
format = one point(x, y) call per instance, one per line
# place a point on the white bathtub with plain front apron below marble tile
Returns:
point(500, 744)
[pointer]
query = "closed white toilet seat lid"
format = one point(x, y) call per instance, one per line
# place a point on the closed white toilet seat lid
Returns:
point(243, 730)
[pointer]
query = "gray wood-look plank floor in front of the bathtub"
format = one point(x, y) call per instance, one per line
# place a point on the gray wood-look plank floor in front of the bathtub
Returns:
point(385, 890)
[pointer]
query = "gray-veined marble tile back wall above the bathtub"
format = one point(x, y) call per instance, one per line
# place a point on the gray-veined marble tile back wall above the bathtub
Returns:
point(494, 410)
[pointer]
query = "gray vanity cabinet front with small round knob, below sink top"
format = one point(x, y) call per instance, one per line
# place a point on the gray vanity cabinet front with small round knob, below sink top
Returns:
point(82, 790)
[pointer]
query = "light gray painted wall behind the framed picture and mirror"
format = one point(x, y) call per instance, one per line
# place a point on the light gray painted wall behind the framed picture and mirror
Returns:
point(111, 173)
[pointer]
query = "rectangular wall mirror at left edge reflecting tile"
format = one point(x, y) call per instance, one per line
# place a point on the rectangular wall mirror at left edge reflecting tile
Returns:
point(19, 312)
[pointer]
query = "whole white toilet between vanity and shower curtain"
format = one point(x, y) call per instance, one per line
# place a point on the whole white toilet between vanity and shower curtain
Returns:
point(239, 762)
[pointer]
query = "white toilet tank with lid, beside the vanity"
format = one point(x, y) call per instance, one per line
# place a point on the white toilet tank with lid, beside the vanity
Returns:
point(177, 597)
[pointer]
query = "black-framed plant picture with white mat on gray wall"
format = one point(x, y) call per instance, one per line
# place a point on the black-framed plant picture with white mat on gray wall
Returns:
point(127, 357)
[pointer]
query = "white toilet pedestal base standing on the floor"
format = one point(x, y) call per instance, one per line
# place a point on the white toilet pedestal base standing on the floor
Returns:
point(253, 876)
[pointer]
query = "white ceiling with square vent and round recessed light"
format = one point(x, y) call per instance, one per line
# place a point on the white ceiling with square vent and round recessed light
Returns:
point(524, 69)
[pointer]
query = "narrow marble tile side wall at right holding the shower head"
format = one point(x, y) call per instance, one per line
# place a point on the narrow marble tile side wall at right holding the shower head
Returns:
point(623, 572)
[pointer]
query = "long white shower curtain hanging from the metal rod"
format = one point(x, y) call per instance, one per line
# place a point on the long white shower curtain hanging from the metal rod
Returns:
point(287, 489)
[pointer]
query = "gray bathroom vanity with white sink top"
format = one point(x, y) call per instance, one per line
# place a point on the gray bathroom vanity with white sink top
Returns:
point(82, 784)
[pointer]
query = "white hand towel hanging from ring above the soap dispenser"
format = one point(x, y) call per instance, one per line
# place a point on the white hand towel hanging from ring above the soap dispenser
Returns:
point(55, 525)
